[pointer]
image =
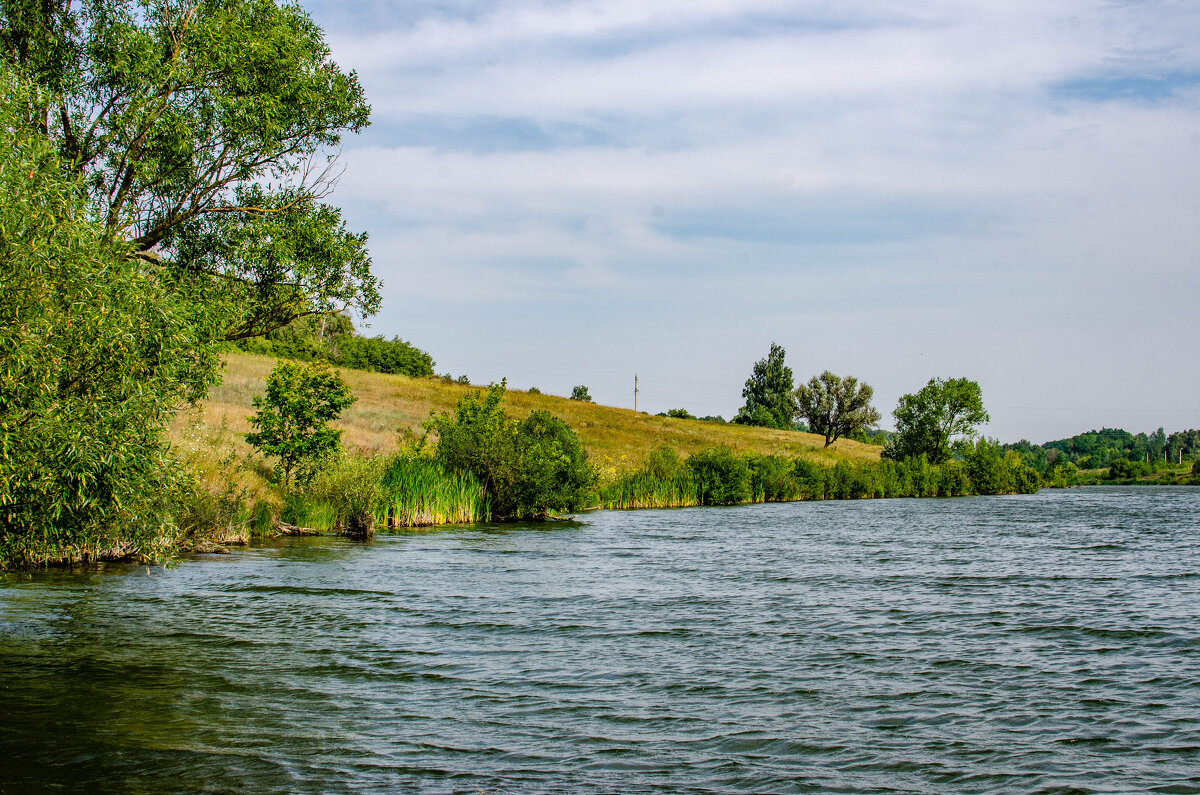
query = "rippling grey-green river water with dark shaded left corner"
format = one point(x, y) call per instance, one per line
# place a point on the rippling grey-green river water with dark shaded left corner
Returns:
point(1024, 644)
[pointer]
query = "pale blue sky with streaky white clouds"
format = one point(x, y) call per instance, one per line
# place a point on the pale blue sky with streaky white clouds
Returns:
point(569, 193)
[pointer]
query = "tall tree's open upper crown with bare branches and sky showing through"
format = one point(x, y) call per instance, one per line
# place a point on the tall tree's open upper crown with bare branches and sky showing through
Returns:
point(197, 131)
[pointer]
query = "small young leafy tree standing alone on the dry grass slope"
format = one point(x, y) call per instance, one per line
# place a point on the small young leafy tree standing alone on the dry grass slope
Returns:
point(292, 423)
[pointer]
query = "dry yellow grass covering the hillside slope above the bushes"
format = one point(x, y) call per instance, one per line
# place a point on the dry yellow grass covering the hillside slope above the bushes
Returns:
point(616, 439)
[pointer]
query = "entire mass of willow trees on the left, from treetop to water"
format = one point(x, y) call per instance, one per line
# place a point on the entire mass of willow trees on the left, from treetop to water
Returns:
point(164, 184)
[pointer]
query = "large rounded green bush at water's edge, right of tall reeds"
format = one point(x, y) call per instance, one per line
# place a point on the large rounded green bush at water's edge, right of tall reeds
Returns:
point(527, 469)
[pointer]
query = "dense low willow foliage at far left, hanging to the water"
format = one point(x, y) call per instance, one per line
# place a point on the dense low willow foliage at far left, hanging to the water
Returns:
point(97, 354)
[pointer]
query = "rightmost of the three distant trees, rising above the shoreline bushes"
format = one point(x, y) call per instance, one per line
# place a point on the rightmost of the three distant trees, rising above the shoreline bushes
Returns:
point(927, 422)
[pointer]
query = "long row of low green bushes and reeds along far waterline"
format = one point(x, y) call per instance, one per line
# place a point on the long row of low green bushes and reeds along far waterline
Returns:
point(722, 476)
